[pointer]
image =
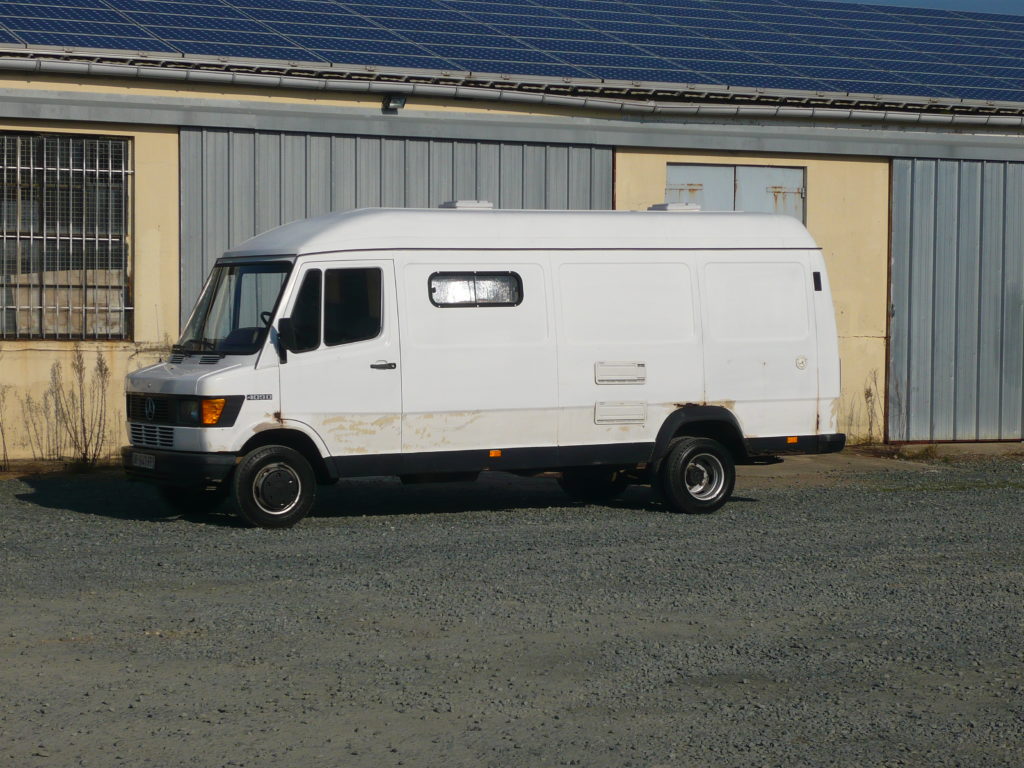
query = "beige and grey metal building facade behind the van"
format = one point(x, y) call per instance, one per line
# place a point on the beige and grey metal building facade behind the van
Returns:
point(123, 183)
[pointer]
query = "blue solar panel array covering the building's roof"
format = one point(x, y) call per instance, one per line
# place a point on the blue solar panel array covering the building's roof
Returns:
point(790, 45)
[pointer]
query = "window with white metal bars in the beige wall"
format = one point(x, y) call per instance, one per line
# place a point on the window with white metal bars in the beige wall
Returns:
point(65, 237)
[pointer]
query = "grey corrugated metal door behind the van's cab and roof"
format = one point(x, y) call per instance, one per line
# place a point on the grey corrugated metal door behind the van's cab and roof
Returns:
point(236, 184)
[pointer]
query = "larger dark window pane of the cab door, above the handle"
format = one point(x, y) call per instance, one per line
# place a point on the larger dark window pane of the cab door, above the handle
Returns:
point(353, 305)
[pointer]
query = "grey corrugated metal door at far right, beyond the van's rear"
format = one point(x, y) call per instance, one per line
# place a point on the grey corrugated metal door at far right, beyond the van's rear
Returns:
point(957, 350)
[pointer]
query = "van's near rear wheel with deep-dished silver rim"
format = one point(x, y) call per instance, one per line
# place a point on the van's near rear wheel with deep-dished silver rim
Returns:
point(698, 476)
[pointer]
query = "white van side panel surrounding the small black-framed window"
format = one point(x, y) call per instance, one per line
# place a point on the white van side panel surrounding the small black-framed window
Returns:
point(477, 377)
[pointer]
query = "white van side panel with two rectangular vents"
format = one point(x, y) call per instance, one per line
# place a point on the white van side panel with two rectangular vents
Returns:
point(629, 345)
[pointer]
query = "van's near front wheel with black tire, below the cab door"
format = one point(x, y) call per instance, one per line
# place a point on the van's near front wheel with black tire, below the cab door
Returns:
point(275, 487)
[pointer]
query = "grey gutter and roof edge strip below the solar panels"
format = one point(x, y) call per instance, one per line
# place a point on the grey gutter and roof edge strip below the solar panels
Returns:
point(668, 100)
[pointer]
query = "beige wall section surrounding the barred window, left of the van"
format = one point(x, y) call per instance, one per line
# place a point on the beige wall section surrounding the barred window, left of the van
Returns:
point(26, 366)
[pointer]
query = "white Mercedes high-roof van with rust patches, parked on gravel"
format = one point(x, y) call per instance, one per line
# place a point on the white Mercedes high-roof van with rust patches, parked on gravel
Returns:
point(655, 348)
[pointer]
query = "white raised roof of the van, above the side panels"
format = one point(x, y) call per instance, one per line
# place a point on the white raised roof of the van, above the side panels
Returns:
point(399, 229)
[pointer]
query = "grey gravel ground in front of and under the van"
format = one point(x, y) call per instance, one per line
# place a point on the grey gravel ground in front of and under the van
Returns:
point(864, 612)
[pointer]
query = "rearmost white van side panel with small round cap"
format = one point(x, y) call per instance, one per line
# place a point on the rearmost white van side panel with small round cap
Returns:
point(760, 340)
